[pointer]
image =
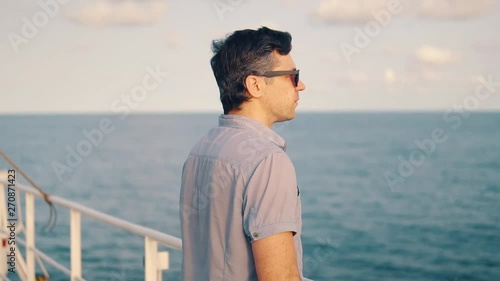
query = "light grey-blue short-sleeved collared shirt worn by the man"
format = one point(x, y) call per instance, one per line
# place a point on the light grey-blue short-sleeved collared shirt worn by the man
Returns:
point(238, 186)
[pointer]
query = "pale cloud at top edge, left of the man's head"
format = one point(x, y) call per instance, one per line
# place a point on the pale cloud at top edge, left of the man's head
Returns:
point(131, 12)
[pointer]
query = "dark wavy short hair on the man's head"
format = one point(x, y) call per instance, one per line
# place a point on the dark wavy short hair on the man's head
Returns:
point(245, 52)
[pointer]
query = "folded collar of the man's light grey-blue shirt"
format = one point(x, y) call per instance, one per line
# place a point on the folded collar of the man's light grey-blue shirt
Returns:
point(247, 123)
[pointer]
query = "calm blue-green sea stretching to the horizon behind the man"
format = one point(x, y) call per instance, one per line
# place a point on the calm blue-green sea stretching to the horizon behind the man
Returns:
point(385, 195)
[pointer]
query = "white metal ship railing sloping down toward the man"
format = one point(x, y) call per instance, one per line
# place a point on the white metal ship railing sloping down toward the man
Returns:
point(155, 262)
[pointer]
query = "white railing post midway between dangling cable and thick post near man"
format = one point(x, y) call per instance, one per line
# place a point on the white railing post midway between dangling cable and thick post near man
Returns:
point(76, 246)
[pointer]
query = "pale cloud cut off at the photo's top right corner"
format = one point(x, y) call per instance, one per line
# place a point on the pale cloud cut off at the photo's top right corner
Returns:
point(454, 9)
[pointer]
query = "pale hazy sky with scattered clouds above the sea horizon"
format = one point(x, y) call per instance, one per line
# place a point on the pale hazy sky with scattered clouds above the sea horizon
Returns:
point(109, 56)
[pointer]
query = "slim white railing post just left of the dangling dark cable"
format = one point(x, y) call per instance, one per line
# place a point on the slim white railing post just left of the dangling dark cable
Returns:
point(30, 236)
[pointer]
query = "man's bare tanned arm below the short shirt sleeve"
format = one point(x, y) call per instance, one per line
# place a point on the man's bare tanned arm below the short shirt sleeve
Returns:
point(275, 258)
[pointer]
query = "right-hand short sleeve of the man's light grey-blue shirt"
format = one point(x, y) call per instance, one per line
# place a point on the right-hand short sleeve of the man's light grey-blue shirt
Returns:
point(271, 200)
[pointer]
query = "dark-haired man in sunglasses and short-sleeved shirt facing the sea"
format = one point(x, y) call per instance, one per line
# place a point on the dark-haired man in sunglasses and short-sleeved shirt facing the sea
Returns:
point(240, 204)
